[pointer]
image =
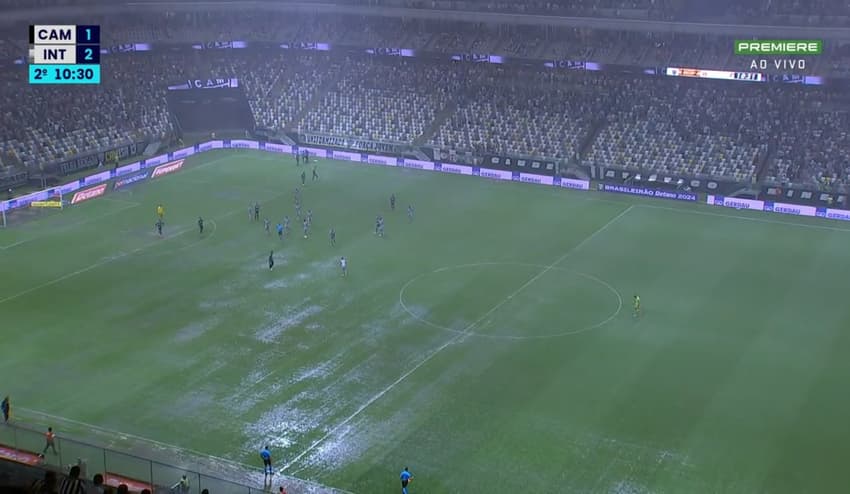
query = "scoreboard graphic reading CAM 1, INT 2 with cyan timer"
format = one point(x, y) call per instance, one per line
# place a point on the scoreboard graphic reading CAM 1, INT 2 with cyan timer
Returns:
point(64, 54)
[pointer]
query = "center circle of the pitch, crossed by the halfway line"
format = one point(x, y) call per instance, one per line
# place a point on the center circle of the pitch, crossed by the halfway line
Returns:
point(510, 300)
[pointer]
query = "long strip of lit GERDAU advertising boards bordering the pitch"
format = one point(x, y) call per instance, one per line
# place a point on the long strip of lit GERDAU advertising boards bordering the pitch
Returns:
point(97, 184)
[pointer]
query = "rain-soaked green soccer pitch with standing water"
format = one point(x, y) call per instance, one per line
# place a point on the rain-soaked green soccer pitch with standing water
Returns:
point(489, 344)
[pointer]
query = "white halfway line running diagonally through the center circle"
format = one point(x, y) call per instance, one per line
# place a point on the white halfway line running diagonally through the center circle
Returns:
point(448, 343)
